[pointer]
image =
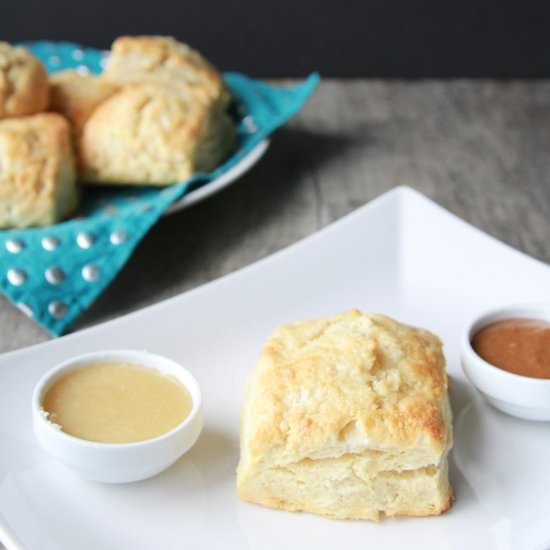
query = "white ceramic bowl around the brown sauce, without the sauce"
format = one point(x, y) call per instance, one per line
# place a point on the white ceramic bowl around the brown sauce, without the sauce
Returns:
point(514, 394)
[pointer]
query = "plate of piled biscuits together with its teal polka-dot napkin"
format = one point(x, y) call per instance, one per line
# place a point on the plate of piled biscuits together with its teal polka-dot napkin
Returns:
point(95, 146)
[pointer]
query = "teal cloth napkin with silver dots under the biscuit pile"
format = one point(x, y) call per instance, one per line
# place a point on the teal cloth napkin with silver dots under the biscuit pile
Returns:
point(54, 273)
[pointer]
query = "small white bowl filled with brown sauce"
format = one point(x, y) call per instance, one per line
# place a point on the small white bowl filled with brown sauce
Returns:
point(506, 356)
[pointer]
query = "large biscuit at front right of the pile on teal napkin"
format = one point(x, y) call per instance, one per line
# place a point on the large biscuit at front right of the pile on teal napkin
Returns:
point(153, 134)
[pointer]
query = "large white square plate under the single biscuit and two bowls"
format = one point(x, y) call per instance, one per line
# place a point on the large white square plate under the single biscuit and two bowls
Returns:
point(402, 255)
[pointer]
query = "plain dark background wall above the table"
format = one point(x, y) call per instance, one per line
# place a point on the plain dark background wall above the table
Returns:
point(345, 38)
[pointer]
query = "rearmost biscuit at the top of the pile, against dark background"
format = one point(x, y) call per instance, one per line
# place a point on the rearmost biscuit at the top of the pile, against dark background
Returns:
point(164, 60)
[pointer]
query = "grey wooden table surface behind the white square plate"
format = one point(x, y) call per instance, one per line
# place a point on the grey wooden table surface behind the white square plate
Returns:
point(479, 148)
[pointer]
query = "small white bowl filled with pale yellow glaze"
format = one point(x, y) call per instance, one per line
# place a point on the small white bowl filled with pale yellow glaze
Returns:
point(121, 425)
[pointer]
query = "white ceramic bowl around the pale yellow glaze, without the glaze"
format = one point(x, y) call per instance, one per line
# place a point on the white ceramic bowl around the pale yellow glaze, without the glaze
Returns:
point(118, 462)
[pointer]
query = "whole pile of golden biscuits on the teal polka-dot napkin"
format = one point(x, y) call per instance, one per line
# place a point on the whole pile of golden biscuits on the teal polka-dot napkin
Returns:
point(155, 116)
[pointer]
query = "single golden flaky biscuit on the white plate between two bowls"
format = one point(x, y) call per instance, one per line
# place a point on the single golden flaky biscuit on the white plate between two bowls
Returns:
point(348, 417)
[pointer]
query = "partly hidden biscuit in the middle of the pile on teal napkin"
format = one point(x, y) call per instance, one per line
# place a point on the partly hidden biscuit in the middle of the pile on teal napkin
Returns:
point(76, 95)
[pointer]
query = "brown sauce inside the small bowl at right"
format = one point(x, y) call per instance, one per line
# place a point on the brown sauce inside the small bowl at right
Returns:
point(521, 346)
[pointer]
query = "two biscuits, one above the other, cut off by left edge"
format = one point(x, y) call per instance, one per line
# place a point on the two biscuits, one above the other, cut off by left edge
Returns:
point(37, 168)
